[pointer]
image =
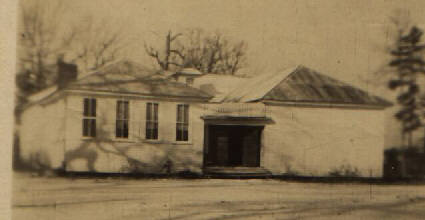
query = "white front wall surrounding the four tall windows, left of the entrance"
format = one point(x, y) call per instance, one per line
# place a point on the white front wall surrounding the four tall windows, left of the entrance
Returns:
point(105, 153)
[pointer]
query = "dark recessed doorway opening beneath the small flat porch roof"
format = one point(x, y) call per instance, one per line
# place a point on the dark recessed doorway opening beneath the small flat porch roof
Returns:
point(231, 145)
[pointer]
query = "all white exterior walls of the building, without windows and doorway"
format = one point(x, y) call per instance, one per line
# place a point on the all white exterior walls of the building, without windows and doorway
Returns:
point(302, 140)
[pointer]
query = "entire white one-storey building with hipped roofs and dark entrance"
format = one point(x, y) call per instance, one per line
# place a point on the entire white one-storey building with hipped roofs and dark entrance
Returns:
point(124, 118)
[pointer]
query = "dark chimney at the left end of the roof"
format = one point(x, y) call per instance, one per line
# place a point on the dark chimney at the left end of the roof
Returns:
point(67, 72)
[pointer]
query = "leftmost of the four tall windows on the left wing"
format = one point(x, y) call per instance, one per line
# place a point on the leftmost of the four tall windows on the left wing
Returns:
point(89, 117)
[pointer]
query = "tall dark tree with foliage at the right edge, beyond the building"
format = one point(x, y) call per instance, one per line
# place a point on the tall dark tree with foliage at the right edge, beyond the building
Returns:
point(408, 62)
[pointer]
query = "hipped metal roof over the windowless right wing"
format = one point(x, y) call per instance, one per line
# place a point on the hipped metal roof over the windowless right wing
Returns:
point(302, 84)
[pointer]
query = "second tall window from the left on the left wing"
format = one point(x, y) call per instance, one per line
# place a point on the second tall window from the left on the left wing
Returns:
point(122, 119)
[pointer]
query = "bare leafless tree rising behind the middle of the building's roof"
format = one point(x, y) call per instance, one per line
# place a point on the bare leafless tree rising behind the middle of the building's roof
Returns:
point(209, 53)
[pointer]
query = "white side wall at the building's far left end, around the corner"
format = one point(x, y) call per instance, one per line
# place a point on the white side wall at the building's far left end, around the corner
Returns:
point(42, 135)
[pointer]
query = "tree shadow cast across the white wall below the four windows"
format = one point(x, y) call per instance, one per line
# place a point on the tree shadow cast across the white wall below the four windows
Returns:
point(160, 158)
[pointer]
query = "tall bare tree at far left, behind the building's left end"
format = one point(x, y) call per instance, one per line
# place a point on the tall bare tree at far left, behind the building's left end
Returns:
point(40, 41)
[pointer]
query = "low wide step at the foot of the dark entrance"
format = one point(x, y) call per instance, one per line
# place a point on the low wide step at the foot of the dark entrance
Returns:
point(237, 172)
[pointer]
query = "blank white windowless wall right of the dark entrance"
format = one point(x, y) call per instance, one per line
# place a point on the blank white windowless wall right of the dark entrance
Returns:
point(316, 141)
